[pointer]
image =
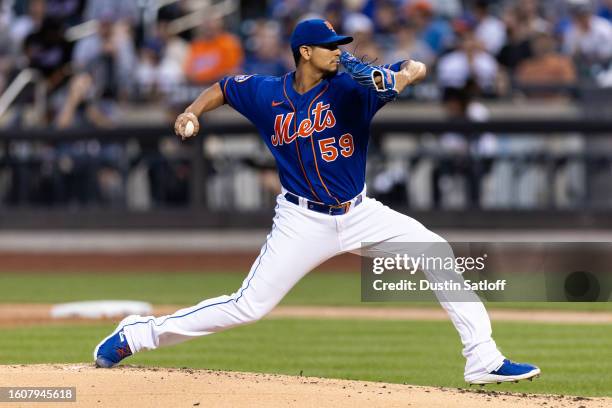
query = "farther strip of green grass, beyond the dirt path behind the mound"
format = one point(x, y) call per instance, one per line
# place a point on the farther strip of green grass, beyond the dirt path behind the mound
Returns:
point(317, 288)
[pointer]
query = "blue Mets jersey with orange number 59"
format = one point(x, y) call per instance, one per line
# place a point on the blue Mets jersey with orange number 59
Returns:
point(319, 139)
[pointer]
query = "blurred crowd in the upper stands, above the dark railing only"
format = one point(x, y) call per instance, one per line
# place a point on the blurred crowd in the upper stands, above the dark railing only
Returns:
point(95, 54)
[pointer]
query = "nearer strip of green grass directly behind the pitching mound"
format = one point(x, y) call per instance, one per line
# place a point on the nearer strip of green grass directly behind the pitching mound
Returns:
point(576, 360)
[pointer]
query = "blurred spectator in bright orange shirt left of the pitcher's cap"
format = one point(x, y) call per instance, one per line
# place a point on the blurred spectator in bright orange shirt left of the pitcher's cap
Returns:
point(213, 53)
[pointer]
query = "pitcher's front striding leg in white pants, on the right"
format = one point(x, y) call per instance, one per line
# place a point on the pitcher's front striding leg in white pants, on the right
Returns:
point(373, 222)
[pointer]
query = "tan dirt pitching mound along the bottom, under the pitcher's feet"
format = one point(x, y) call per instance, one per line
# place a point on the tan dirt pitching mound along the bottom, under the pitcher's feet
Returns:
point(128, 386)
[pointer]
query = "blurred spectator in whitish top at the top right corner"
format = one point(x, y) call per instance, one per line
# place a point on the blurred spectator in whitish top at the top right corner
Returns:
point(589, 38)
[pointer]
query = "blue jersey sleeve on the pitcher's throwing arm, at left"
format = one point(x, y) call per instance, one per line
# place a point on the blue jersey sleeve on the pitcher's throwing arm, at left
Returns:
point(240, 92)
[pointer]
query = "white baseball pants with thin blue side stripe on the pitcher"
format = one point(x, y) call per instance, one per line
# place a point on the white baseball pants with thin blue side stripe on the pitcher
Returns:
point(300, 240)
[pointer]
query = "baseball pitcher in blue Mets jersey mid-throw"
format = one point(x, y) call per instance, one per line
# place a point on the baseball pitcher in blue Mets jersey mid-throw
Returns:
point(316, 122)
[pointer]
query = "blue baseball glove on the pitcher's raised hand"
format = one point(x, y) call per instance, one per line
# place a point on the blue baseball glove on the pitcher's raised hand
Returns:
point(380, 79)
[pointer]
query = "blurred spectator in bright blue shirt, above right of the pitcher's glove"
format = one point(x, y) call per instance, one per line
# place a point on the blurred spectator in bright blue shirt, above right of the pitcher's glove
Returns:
point(435, 31)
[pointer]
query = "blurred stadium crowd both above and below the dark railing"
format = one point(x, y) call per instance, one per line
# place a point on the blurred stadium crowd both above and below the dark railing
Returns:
point(85, 63)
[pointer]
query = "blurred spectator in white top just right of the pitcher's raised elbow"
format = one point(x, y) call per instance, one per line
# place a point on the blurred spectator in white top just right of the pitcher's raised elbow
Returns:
point(468, 63)
